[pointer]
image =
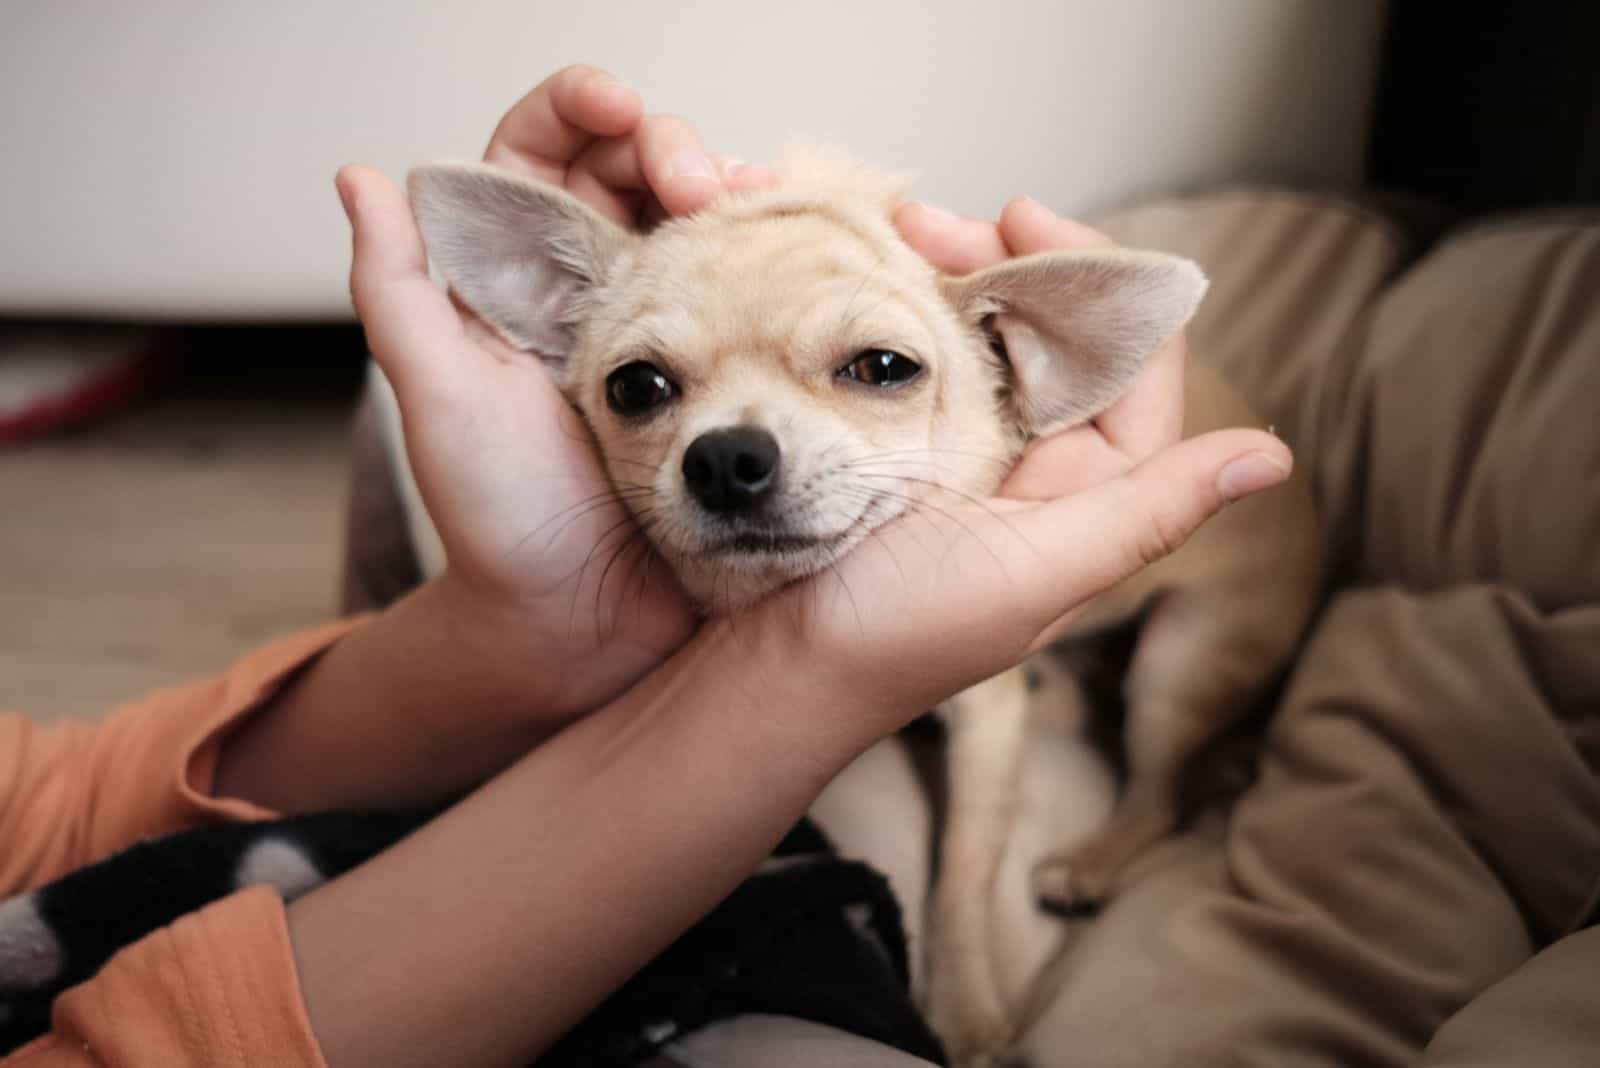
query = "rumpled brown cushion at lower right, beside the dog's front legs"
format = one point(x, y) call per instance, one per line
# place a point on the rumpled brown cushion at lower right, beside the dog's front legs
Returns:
point(1422, 826)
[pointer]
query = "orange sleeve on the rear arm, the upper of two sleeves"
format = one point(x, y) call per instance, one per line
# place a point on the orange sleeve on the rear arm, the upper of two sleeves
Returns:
point(74, 792)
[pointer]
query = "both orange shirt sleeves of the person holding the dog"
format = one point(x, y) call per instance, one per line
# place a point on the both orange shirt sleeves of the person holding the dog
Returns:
point(220, 986)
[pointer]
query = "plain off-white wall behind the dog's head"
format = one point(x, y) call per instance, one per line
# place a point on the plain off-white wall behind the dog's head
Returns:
point(175, 157)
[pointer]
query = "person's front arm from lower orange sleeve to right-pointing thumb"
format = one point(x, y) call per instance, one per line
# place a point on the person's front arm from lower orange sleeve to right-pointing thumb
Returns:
point(530, 901)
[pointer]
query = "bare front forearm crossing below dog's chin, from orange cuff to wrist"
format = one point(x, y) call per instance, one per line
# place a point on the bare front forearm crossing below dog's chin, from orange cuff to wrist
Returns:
point(537, 896)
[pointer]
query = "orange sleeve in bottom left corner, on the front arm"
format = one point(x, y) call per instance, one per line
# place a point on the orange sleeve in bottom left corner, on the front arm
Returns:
point(215, 990)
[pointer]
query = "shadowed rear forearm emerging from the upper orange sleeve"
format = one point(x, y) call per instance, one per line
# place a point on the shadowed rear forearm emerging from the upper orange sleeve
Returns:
point(422, 704)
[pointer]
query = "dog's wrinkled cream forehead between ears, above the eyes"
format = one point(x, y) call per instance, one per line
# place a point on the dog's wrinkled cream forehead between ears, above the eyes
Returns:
point(775, 274)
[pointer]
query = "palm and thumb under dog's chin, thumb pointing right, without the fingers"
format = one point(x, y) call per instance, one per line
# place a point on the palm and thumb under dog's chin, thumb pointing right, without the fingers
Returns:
point(961, 589)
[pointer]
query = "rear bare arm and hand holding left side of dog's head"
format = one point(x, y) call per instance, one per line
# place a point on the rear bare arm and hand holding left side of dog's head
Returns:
point(521, 636)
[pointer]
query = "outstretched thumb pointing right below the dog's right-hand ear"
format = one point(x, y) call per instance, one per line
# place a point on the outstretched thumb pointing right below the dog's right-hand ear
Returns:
point(1095, 540)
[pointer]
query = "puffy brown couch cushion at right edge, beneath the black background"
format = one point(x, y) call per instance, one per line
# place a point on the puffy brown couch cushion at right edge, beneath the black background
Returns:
point(1462, 442)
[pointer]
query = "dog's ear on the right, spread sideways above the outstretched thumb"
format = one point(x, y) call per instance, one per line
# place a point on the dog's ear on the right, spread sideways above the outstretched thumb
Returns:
point(1078, 327)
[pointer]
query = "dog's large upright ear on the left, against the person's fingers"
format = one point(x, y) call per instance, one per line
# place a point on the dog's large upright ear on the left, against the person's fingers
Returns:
point(519, 253)
